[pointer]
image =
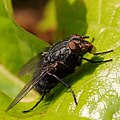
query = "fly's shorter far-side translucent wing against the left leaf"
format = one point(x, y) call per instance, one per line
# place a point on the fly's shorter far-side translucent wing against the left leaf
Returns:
point(30, 65)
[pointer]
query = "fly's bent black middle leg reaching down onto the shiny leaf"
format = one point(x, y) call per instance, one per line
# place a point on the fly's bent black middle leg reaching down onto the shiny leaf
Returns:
point(68, 86)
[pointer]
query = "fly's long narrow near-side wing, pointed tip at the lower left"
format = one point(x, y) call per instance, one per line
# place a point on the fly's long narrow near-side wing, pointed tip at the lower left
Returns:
point(27, 88)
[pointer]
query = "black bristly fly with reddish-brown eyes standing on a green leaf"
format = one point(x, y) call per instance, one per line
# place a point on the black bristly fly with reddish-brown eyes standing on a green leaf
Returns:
point(51, 66)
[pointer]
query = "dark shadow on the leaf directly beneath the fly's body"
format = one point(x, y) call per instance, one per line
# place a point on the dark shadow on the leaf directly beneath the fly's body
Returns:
point(85, 69)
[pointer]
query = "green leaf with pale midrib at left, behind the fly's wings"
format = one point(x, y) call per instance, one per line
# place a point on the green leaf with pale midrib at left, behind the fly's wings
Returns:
point(16, 48)
